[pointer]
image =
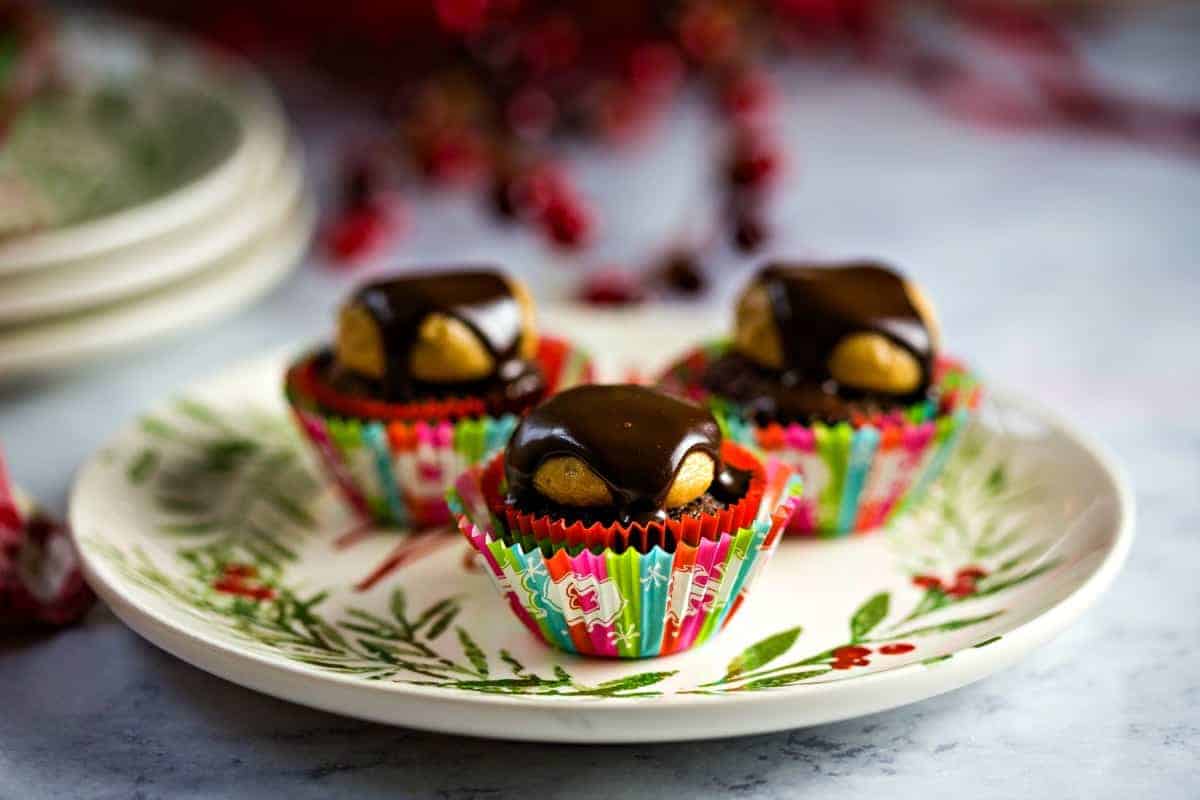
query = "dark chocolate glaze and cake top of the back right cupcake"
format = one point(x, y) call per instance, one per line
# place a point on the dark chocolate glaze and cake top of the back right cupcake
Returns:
point(815, 309)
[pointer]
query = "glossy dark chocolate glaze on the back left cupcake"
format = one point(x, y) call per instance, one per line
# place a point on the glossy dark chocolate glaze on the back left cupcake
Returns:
point(481, 299)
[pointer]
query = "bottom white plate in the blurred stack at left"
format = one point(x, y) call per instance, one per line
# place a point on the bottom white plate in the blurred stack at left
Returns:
point(213, 293)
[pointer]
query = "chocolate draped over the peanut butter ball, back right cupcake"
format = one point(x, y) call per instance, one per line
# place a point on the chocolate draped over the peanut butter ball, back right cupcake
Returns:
point(817, 308)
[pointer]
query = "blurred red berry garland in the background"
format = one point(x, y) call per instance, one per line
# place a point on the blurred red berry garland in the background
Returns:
point(484, 88)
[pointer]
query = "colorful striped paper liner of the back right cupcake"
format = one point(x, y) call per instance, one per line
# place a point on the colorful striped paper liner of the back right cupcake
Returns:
point(859, 474)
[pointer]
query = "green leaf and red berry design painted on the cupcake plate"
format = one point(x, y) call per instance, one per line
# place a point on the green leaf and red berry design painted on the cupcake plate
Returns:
point(235, 498)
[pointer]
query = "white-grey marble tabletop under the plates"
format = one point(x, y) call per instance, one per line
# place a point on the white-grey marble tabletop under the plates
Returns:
point(1067, 269)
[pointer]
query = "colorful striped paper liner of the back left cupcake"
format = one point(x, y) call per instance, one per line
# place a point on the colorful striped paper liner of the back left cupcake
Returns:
point(395, 470)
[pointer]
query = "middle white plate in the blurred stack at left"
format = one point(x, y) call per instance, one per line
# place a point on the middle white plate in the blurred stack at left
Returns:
point(273, 190)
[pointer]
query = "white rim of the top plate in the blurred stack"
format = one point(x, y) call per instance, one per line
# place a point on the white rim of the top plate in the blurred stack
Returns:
point(128, 53)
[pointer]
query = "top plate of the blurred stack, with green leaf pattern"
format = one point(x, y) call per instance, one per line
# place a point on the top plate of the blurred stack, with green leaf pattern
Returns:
point(145, 134)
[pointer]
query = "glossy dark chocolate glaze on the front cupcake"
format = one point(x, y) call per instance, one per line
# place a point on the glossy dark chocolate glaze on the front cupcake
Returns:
point(633, 438)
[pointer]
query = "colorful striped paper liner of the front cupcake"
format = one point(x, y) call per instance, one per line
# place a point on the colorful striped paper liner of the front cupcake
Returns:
point(627, 605)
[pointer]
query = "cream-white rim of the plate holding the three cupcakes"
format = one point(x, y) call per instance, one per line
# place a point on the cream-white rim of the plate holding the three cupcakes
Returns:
point(436, 709)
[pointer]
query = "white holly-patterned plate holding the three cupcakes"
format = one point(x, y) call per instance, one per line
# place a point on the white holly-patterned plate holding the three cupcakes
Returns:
point(203, 528)
